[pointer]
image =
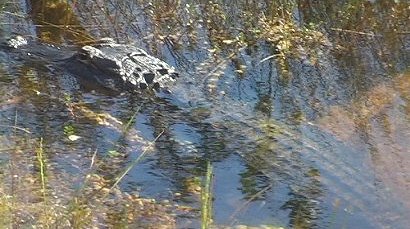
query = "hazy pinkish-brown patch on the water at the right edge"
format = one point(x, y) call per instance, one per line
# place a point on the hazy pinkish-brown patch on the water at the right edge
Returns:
point(375, 123)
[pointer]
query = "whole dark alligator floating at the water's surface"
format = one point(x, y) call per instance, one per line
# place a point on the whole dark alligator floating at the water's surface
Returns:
point(111, 64)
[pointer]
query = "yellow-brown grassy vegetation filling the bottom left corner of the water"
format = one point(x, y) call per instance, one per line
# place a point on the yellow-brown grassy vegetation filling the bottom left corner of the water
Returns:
point(34, 194)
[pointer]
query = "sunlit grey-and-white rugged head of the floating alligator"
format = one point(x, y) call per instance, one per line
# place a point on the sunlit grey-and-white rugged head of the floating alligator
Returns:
point(127, 63)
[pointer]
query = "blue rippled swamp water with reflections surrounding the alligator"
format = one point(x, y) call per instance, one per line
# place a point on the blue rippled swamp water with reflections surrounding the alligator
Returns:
point(320, 144)
